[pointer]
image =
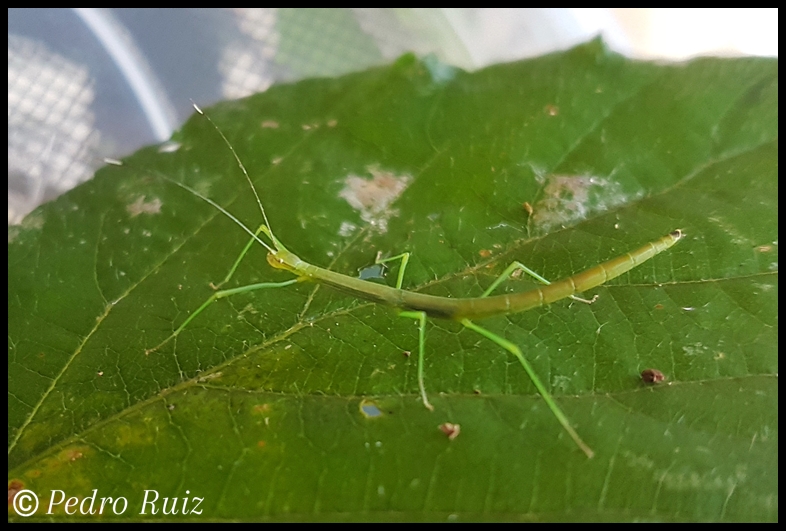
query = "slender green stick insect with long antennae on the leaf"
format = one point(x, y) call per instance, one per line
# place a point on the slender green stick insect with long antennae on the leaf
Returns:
point(419, 306)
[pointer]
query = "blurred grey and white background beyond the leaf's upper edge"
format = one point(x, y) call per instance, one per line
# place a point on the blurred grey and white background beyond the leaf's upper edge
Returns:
point(89, 84)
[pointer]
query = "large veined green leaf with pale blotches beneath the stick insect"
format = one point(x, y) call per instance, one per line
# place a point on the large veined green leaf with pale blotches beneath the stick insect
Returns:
point(300, 403)
